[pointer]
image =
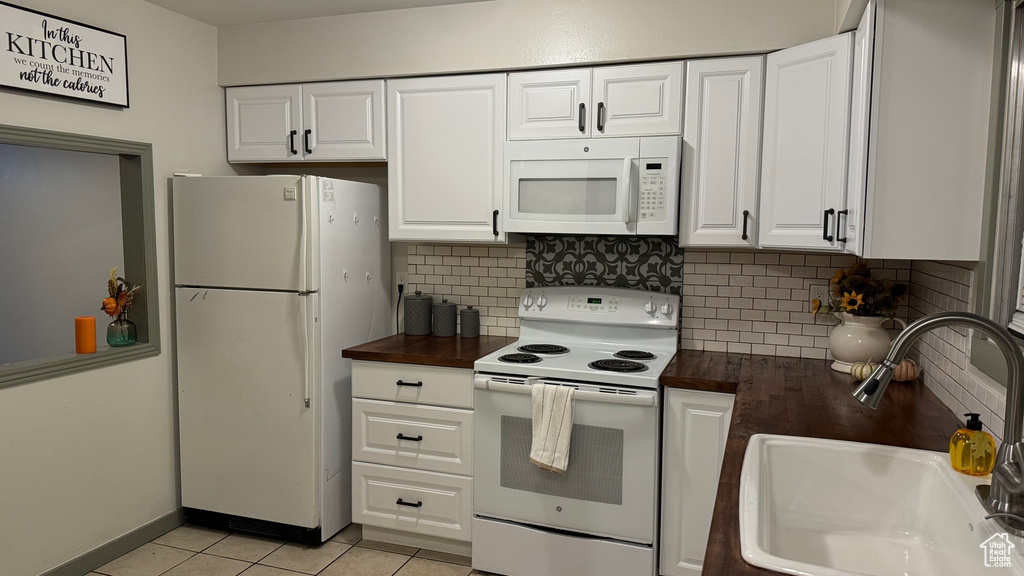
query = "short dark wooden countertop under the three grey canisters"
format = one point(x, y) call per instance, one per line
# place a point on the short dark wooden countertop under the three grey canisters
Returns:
point(455, 352)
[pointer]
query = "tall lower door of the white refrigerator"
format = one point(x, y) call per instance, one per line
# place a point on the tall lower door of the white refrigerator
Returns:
point(248, 439)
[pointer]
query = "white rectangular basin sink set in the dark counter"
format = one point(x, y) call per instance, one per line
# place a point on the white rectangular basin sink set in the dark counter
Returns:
point(825, 508)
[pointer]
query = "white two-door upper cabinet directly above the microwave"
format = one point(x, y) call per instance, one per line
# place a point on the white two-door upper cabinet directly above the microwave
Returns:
point(584, 103)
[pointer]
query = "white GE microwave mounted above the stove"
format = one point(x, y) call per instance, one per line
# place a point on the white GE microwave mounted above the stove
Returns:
point(593, 187)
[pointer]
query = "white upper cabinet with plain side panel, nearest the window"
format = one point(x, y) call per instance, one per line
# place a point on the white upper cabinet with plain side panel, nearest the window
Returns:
point(928, 125)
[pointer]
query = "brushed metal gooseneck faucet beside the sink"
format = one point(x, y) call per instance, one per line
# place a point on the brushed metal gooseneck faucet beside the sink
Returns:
point(1005, 499)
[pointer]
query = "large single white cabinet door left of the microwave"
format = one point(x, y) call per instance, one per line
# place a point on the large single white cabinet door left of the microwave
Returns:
point(446, 138)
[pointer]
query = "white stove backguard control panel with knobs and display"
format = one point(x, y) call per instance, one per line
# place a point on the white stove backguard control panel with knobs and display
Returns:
point(601, 306)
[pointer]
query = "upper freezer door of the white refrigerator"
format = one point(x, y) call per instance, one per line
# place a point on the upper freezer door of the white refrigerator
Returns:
point(245, 232)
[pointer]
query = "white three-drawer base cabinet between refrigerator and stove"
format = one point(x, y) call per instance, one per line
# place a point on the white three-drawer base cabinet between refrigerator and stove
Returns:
point(413, 449)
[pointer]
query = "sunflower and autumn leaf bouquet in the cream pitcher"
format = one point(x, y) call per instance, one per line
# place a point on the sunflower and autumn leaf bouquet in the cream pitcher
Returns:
point(857, 292)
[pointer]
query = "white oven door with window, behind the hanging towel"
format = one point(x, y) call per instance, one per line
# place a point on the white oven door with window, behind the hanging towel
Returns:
point(611, 486)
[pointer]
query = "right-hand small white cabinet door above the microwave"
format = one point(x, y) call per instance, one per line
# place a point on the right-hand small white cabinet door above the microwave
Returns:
point(637, 101)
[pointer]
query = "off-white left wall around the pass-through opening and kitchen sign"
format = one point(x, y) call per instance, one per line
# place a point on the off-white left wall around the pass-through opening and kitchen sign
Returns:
point(90, 458)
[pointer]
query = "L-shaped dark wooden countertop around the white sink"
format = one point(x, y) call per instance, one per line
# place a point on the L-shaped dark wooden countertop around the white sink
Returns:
point(797, 397)
